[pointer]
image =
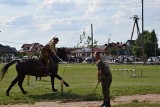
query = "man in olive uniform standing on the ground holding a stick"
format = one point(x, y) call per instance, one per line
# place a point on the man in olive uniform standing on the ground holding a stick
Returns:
point(105, 77)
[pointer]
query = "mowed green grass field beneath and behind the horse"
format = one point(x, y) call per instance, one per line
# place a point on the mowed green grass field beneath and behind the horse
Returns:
point(83, 79)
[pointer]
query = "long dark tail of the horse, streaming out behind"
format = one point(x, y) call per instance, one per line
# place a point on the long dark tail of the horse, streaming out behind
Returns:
point(5, 68)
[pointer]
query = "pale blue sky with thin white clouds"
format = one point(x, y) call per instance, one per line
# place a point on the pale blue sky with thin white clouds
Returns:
point(30, 21)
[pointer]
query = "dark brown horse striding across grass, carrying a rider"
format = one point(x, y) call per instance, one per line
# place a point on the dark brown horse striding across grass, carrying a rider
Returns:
point(34, 68)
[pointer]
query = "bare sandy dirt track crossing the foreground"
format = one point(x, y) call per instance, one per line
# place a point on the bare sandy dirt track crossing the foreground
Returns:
point(152, 98)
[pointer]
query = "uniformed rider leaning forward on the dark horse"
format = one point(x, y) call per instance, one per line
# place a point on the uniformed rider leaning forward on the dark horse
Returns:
point(45, 53)
